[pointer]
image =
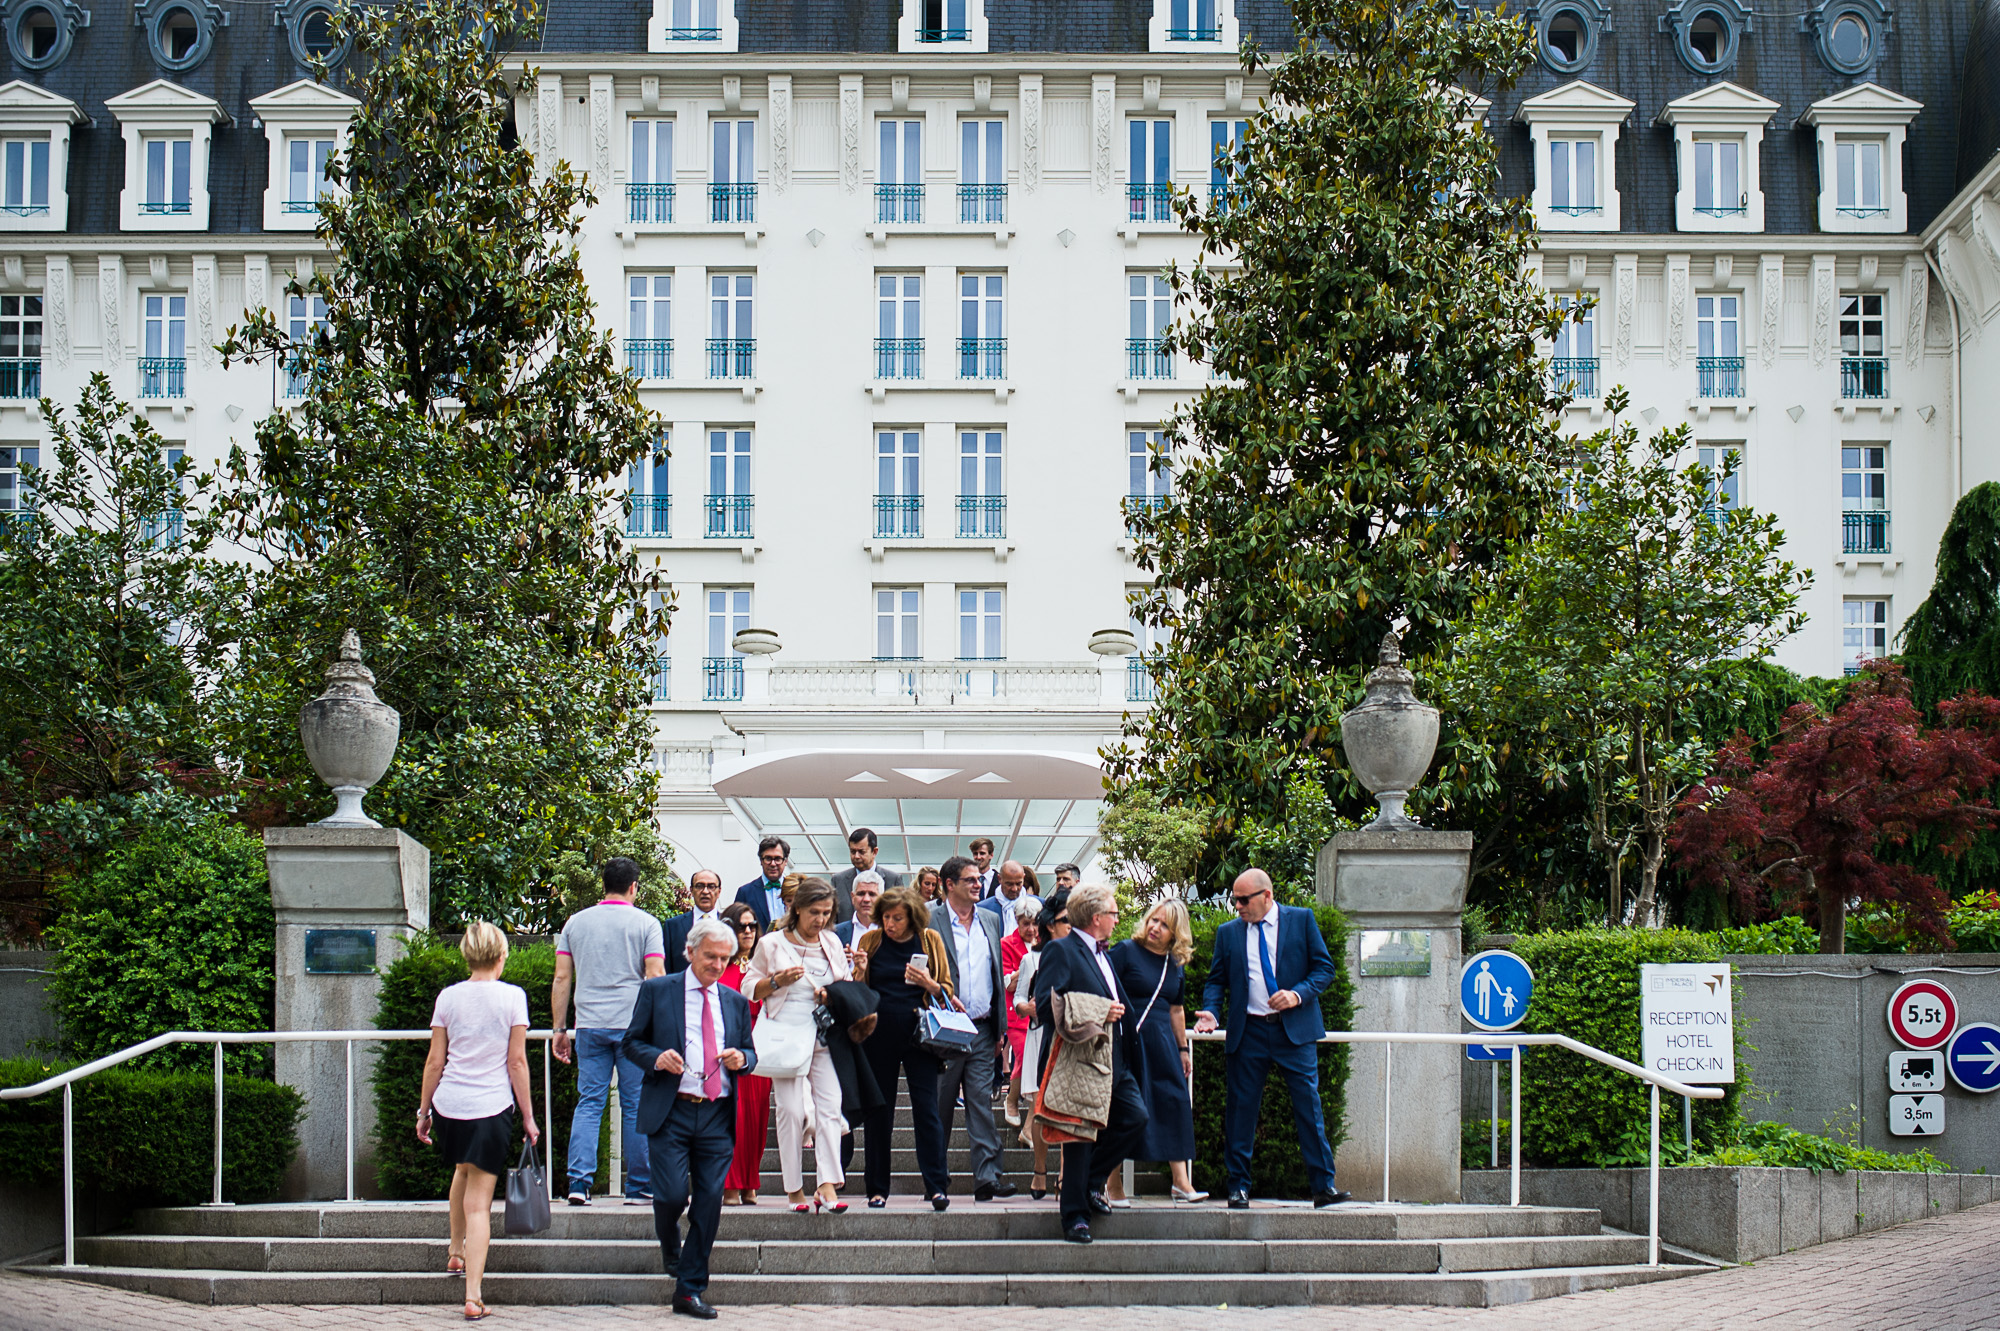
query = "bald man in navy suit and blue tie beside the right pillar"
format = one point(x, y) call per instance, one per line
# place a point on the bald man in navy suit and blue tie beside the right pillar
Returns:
point(1271, 964)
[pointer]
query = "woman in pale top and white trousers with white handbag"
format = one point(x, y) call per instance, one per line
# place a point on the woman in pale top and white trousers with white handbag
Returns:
point(789, 974)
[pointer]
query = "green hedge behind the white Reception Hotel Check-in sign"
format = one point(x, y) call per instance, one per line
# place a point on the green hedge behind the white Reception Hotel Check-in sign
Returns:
point(1575, 1110)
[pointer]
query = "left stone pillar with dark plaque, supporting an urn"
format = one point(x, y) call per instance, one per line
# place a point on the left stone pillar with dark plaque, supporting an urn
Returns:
point(351, 898)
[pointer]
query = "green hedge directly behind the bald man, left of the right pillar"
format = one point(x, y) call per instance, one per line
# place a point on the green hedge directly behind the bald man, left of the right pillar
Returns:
point(1277, 1168)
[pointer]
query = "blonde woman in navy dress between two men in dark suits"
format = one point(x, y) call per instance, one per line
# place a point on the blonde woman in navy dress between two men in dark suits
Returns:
point(1151, 966)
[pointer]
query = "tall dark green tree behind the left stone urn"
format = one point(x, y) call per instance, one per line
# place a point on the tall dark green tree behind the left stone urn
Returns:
point(445, 485)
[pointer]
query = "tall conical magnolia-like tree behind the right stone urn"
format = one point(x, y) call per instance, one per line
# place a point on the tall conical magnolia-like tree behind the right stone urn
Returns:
point(1383, 425)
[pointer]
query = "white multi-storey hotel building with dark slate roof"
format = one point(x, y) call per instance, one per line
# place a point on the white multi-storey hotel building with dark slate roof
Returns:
point(893, 279)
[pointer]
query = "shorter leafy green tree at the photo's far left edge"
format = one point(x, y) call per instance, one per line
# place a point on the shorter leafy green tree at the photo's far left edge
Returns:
point(99, 601)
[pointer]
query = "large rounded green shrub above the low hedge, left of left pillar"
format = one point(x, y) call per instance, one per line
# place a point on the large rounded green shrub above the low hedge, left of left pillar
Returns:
point(171, 932)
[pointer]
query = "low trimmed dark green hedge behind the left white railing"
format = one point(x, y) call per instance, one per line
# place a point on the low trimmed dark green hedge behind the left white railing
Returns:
point(147, 1138)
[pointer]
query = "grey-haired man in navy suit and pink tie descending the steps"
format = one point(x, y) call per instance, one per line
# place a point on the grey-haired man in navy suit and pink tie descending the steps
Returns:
point(693, 1036)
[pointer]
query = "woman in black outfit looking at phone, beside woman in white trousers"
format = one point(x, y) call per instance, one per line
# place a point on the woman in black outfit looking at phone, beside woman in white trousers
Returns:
point(903, 958)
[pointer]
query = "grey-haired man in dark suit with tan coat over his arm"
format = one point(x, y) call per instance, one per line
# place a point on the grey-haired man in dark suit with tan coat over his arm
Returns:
point(1077, 964)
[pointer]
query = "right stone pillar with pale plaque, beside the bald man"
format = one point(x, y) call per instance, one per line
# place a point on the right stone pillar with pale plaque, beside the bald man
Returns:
point(1403, 892)
